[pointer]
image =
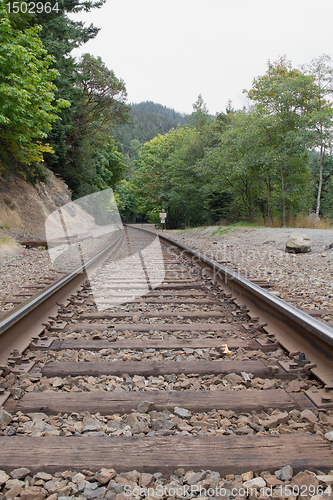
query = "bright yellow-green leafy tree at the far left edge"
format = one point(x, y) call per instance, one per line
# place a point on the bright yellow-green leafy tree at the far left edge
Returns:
point(27, 108)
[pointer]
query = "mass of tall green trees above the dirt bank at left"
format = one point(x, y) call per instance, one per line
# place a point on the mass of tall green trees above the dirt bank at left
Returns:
point(74, 114)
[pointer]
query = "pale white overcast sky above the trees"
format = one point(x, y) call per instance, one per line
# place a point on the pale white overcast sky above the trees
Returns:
point(171, 51)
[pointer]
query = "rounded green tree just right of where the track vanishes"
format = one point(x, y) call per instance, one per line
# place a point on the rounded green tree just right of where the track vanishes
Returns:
point(165, 178)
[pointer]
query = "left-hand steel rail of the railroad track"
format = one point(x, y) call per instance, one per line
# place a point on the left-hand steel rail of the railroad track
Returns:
point(18, 319)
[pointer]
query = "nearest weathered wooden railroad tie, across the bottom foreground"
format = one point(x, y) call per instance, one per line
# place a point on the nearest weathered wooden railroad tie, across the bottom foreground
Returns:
point(166, 453)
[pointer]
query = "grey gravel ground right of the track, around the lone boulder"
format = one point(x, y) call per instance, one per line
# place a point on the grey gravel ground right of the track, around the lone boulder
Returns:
point(260, 253)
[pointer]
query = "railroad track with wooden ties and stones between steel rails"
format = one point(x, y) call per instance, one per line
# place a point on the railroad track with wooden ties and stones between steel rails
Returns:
point(206, 378)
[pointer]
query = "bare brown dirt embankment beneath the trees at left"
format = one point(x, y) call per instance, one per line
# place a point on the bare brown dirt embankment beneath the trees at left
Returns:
point(24, 208)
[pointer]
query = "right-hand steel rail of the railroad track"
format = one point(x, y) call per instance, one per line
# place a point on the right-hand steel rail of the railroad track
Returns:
point(295, 330)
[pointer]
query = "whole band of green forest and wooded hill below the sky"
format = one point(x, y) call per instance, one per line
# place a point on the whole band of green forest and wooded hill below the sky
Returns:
point(266, 163)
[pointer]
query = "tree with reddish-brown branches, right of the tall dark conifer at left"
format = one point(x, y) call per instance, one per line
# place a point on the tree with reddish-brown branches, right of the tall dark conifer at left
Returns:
point(99, 104)
